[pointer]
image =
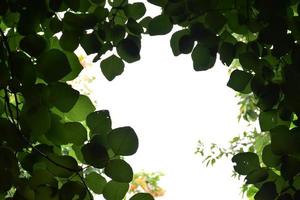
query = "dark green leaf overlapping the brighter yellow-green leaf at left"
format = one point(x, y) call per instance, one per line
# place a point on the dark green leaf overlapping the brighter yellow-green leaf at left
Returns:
point(63, 96)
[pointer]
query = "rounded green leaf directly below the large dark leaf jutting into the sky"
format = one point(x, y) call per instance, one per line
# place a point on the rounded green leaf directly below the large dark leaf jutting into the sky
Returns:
point(119, 170)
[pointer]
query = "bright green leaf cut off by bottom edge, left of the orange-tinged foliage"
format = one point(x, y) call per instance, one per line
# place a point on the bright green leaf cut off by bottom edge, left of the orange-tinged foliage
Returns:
point(115, 191)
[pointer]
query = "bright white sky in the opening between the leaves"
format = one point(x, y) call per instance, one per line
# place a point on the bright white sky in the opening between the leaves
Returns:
point(171, 107)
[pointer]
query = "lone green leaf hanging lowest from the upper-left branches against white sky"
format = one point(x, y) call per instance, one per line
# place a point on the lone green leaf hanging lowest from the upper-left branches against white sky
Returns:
point(112, 67)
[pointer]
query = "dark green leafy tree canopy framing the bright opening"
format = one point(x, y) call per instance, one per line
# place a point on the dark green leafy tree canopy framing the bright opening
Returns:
point(55, 145)
